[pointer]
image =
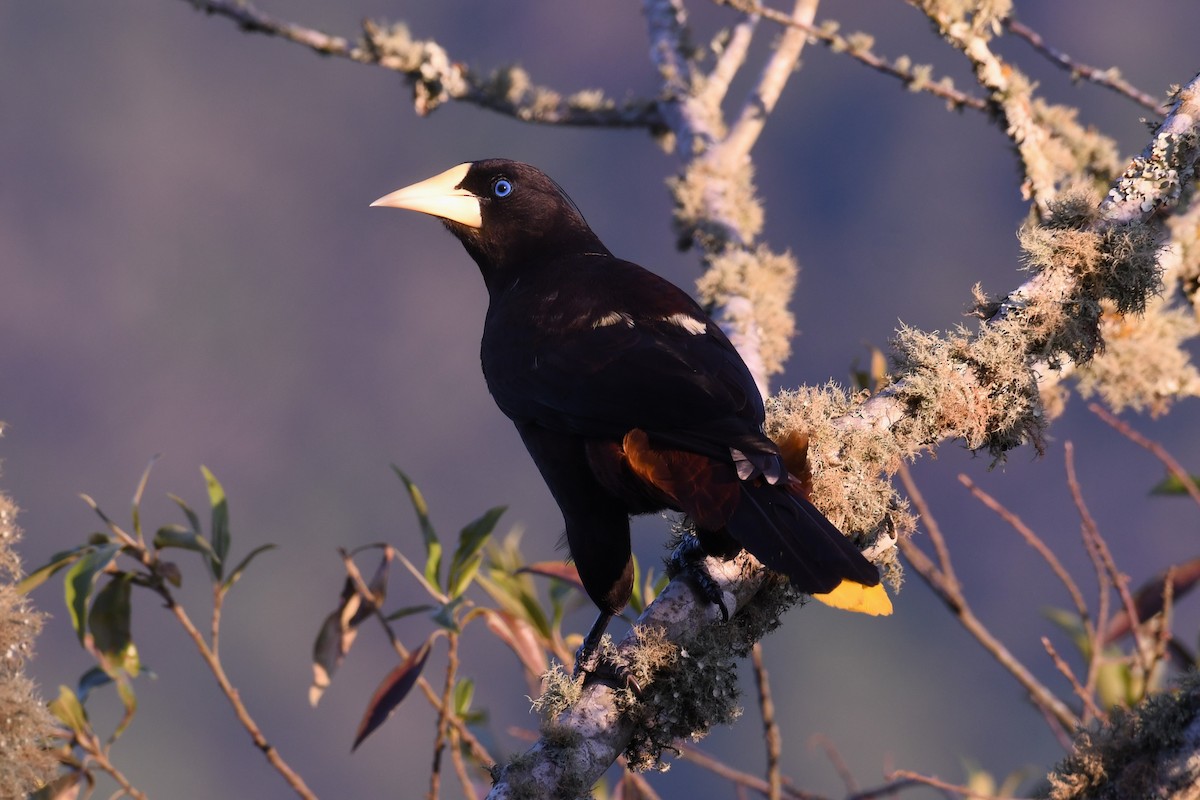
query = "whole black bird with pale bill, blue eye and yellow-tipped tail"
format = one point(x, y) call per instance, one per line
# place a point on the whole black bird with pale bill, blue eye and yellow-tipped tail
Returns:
point(627, 395)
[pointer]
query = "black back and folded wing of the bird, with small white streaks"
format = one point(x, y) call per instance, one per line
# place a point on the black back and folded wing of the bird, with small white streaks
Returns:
point(614, 347)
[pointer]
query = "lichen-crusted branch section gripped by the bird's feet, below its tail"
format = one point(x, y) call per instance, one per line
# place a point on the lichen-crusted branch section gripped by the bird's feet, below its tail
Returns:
point(683, 659)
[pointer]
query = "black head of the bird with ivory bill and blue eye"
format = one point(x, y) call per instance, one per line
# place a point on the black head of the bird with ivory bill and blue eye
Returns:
point(508, 215)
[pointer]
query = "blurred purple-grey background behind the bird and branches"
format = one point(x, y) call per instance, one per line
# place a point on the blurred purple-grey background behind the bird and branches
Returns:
point(189, 268)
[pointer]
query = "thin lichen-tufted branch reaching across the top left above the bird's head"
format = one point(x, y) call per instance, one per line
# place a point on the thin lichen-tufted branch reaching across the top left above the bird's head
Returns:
point(437, 79)
